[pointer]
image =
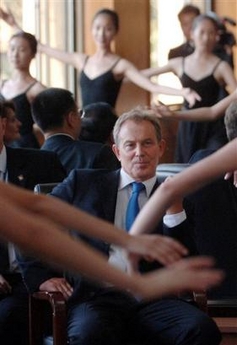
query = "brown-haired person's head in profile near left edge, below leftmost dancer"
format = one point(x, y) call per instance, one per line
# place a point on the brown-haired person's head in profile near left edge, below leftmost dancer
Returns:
point(12, 128)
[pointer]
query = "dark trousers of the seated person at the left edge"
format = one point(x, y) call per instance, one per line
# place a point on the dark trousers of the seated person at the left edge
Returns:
point(14, 319)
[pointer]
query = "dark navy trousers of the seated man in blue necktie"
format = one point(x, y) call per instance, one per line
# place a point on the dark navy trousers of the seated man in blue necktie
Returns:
point(113, 318)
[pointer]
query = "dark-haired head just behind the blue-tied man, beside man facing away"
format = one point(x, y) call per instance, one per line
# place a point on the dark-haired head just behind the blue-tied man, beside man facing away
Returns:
point(97, 123)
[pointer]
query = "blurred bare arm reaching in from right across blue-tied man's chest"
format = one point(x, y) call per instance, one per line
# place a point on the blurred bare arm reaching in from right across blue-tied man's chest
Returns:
point(183, 183)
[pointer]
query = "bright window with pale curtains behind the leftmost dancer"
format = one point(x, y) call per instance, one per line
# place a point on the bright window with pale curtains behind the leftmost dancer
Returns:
point(50, 21)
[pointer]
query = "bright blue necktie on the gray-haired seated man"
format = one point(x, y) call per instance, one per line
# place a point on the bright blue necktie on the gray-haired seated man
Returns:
point(133, 206)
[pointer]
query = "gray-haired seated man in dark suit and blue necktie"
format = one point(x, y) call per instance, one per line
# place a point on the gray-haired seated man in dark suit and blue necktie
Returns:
point(101, 314)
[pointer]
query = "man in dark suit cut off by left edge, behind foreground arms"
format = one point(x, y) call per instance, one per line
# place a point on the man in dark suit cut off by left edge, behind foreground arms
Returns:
point(24, 168)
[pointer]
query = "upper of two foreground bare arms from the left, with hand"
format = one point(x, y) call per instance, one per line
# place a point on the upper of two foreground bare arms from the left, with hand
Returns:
point(164, 250)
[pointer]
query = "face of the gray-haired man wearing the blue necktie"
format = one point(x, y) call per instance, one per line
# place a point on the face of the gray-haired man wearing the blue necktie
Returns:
point(138, 149)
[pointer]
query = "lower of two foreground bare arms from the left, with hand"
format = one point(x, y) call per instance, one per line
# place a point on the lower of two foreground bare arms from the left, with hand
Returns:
point(56, 246)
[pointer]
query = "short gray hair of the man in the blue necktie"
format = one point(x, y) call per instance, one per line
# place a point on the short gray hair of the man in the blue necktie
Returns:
point(137, 114)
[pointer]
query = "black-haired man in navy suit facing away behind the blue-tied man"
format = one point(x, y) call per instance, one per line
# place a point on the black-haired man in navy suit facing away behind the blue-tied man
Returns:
point(56, 113)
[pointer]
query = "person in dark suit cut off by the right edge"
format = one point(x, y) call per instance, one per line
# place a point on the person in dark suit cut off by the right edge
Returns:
point(215, 212)
